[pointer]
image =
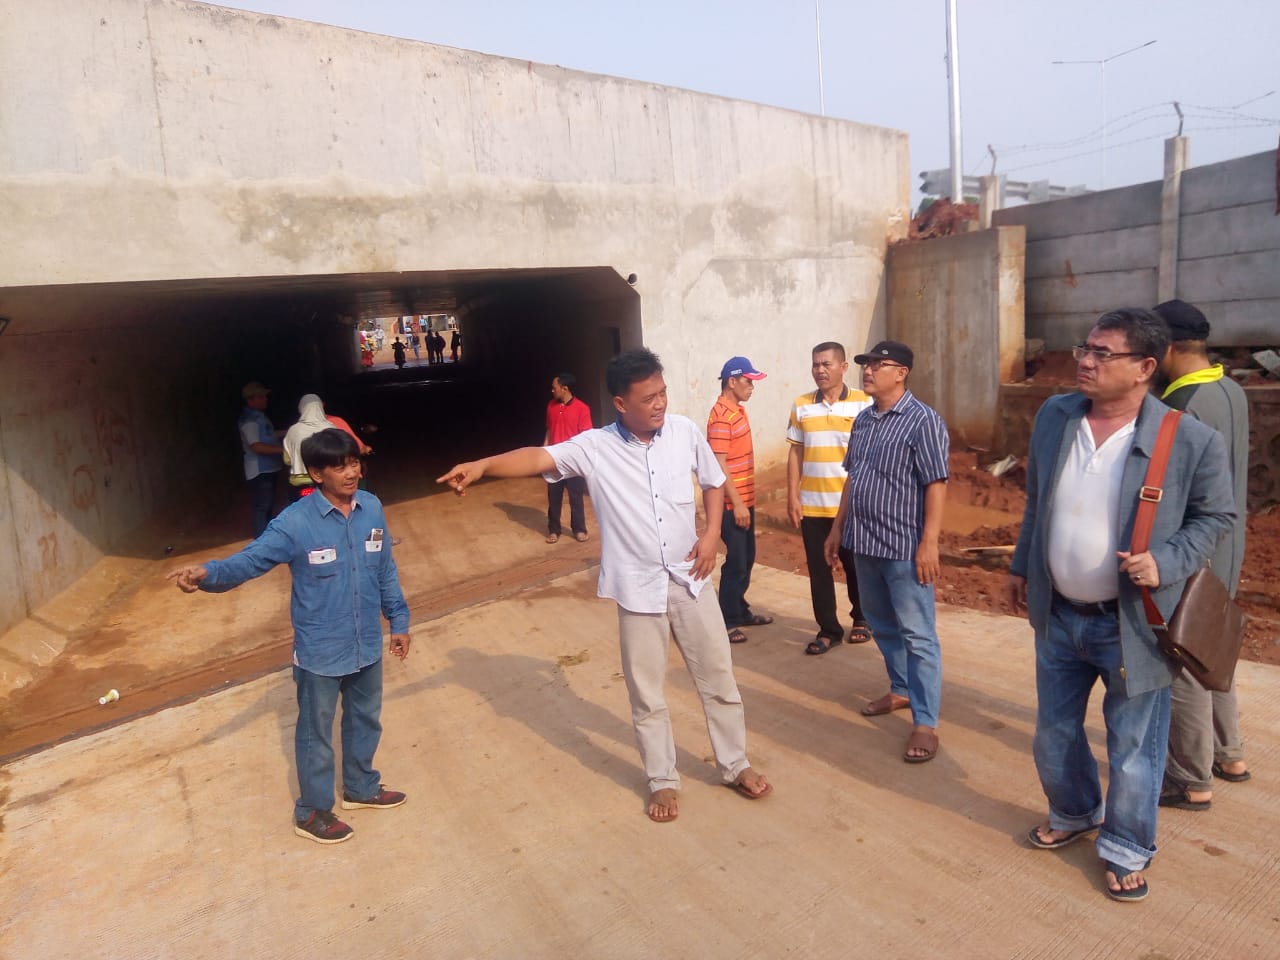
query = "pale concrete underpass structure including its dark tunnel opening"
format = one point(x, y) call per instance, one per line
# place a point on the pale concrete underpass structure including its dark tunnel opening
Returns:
point(194, 198)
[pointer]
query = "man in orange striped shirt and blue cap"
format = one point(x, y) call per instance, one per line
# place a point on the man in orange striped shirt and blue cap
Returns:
point(729, 433)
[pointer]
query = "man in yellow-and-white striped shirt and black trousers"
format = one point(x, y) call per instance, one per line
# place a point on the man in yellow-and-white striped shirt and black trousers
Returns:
point(819, 437)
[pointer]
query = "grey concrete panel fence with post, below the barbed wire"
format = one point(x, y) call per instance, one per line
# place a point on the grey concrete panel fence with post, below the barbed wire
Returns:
point(1222, 252)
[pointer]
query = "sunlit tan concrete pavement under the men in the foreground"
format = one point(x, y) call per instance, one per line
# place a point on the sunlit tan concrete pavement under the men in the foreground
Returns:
point(525, 834)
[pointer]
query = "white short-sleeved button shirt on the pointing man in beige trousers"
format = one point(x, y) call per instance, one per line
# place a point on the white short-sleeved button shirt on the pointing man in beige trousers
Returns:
point(643, 497)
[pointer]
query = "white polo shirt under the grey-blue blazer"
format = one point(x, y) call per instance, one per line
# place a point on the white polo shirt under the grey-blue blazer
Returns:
point(1085, 518)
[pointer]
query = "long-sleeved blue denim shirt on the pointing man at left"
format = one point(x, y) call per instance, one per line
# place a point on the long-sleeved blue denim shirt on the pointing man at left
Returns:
point(344, 580)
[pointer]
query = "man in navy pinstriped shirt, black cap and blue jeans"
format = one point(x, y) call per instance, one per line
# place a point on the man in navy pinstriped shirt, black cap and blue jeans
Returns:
point(890, 518)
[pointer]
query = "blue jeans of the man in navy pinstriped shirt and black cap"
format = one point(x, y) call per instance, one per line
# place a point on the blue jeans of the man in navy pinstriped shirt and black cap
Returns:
point(900, 612)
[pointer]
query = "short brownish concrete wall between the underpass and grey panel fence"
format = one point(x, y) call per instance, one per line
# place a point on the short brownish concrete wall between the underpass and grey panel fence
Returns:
point(959, 303)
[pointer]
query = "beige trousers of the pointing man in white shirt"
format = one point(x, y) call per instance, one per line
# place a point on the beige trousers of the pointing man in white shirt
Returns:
point(700, 632)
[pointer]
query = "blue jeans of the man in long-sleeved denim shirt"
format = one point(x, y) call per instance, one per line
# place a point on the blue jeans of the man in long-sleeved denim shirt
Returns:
point(313, 739)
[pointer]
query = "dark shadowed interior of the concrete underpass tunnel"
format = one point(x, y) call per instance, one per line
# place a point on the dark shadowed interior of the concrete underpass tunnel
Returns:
point(175, 355)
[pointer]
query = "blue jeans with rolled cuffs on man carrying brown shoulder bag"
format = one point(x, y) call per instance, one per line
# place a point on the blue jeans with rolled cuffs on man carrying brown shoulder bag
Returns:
point(1072, 653)
